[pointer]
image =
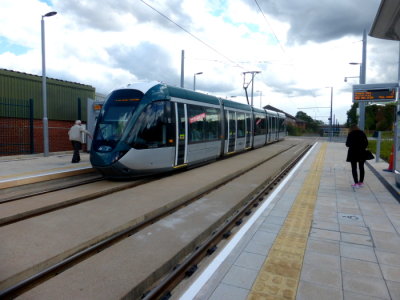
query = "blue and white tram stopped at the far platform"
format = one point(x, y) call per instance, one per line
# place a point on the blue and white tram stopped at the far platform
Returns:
point(148, 128)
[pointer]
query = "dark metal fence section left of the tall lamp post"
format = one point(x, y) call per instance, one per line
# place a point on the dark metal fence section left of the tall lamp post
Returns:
point(16, 126)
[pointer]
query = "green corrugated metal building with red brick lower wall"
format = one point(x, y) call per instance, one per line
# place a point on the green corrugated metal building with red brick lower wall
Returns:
point(21, 128)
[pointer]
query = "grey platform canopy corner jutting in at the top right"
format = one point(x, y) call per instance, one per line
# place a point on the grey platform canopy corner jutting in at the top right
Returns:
point(387, 21)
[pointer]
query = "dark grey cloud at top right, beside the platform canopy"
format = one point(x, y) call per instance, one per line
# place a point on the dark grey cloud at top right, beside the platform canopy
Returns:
point(322, 20)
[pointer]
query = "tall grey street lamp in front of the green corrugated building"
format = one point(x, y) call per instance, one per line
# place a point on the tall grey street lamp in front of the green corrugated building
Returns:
point(44, 91)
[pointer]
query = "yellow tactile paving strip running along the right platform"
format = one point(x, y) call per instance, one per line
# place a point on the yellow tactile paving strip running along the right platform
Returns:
point(280, 273)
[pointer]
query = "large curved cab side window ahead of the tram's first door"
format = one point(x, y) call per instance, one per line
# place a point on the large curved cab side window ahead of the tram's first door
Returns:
point(154, 128)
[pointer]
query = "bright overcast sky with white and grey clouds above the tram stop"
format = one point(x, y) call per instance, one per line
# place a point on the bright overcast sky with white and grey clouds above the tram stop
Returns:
point(300, 47)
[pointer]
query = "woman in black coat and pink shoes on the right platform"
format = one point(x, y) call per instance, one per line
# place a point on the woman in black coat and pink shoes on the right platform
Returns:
point(357, 142)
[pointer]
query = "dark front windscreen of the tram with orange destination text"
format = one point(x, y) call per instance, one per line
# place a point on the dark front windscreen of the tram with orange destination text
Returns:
point(117, 111)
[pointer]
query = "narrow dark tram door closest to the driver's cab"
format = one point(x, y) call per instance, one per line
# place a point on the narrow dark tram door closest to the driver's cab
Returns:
point(181, 136)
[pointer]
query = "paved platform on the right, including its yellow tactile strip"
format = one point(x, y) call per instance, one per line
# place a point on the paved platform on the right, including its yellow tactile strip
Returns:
point(351, 249)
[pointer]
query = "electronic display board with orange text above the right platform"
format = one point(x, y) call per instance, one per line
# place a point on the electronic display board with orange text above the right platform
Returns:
point(374, 92)
